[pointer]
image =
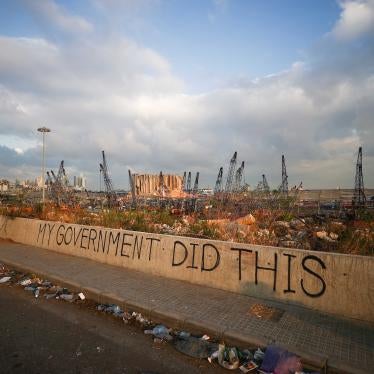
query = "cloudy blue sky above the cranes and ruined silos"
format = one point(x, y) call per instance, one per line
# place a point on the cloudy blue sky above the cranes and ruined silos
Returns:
point(179, 86)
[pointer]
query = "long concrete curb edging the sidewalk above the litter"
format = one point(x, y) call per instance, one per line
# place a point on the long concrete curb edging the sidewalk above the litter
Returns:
point(181, 322)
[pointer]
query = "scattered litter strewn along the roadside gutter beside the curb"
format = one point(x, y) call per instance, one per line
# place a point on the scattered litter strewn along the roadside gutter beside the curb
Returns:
point(272, 359)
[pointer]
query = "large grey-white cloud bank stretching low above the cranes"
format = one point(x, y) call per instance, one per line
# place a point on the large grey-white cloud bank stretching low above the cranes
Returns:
point(111, 93)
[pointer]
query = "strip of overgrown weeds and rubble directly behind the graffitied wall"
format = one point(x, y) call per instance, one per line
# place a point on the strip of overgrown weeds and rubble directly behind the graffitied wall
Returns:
point(276, 227)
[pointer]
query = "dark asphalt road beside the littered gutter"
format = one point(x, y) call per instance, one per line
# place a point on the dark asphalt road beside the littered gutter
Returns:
point(54, 336)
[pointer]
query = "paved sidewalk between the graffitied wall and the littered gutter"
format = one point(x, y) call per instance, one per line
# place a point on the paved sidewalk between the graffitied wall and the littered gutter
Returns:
point(347, 345)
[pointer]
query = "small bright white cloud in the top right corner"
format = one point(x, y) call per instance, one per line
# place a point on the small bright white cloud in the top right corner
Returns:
point(356, 19)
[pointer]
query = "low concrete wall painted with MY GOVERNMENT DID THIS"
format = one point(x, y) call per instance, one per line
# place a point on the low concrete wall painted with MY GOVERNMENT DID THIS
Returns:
point(328, 282)
